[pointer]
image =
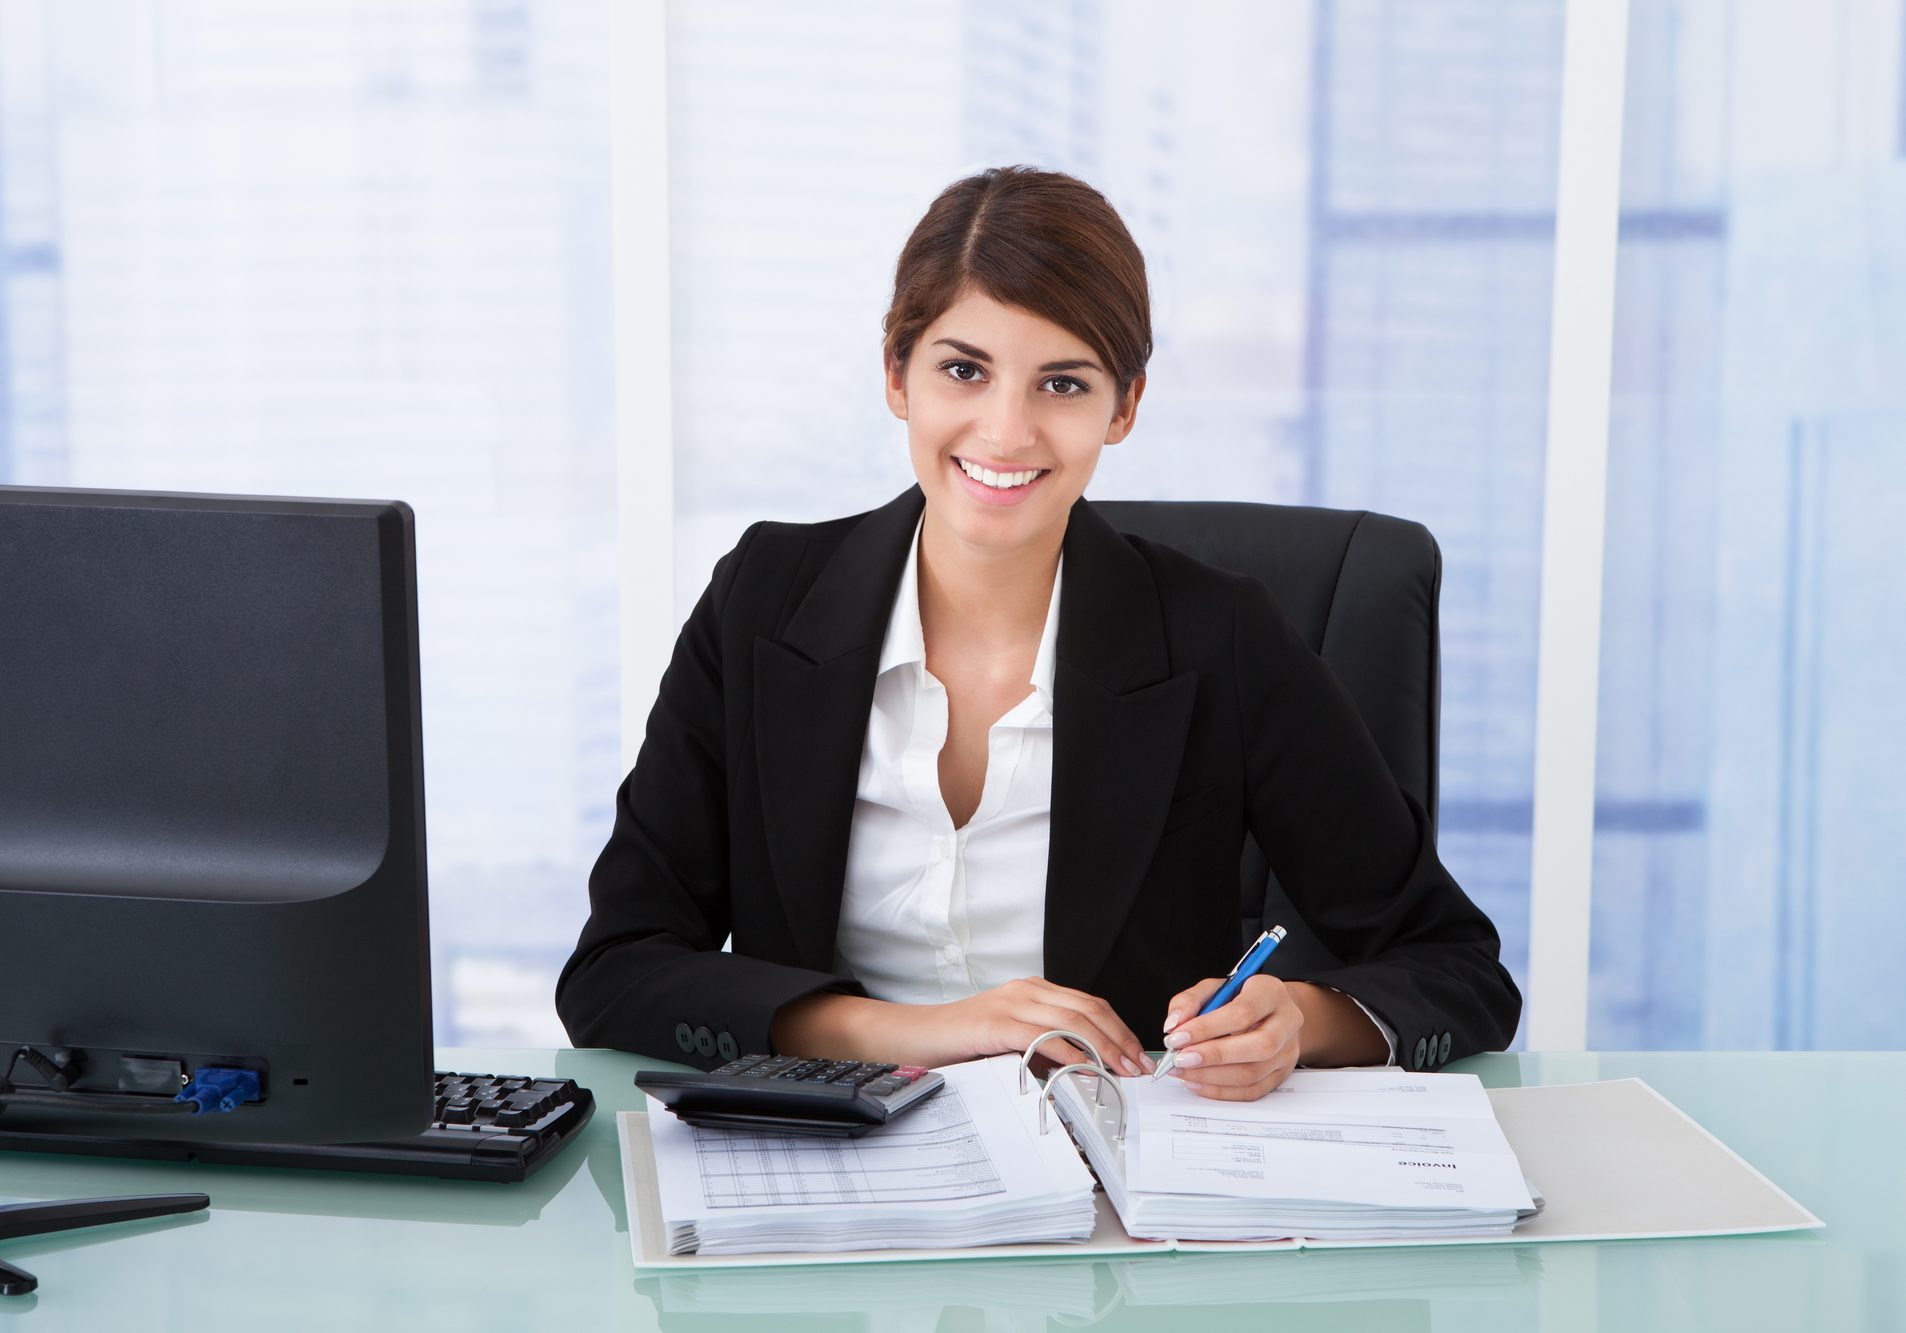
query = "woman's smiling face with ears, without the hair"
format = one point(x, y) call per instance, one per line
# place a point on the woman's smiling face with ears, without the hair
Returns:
point(998, 390)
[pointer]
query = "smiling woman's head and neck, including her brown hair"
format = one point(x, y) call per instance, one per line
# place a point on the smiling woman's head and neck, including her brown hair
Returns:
point(1028, 304)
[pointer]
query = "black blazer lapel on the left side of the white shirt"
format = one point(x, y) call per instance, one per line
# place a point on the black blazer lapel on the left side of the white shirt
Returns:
point(813, 695)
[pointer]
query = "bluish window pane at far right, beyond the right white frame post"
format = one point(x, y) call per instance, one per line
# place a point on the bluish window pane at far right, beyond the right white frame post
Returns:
point(1753, 644)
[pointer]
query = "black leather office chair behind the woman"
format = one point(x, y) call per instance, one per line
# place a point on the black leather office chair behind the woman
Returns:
point(1362, 590)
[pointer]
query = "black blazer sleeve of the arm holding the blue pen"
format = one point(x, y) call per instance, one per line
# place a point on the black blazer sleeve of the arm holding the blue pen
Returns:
point(1356, 853)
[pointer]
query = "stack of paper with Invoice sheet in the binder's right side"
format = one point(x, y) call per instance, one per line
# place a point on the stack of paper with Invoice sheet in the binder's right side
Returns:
point(1341, 1155)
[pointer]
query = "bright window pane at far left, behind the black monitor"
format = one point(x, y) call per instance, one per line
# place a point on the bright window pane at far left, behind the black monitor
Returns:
point(355, 251)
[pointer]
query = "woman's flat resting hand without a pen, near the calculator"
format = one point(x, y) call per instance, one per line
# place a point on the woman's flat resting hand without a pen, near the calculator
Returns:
point(1005, 1019)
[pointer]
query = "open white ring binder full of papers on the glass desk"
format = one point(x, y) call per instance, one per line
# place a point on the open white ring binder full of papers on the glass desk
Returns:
point(1571, 1138)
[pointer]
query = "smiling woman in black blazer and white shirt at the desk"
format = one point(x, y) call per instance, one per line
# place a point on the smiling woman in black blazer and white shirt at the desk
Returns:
point(973, 766)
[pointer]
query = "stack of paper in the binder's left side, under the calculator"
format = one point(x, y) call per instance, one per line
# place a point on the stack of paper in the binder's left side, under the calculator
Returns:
point(963, 1168)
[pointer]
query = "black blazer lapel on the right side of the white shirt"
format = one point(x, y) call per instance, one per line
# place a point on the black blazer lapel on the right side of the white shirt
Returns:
point(1120, 724)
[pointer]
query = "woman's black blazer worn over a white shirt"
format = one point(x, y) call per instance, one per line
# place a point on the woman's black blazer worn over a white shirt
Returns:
point(1185, 710)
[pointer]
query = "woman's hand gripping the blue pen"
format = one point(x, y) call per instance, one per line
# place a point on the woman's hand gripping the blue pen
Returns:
point(1240, 1052)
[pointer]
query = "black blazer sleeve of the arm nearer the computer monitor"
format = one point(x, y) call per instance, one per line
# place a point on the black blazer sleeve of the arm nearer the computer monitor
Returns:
point(649, 974)
